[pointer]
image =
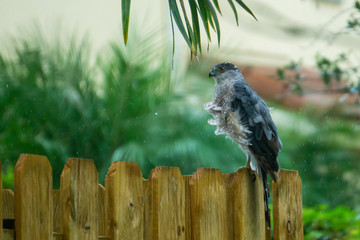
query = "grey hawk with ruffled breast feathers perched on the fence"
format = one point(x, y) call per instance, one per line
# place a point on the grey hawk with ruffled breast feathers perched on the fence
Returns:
point(243, 116)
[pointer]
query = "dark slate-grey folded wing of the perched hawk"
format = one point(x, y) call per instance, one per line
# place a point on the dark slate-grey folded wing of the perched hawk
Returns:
point(253, 112)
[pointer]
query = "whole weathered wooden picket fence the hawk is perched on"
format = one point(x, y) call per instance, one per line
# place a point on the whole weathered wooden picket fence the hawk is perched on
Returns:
point(206, 205)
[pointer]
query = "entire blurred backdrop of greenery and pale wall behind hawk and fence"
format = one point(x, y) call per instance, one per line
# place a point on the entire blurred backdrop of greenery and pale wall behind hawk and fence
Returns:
point(70, 88)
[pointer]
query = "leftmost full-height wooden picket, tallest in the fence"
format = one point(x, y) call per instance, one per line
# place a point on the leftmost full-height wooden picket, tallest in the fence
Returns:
point(33, 198)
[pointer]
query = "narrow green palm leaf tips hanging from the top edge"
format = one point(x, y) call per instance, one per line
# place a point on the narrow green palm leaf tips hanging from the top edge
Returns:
point(191, 29)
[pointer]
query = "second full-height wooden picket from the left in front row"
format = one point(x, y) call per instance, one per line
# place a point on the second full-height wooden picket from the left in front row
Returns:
point(79, 200)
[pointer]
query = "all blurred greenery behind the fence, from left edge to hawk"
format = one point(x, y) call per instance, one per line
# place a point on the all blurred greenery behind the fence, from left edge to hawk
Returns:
point(55, 103)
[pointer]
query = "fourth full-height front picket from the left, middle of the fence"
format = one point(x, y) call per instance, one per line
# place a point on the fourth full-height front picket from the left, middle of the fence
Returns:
point(164, 194)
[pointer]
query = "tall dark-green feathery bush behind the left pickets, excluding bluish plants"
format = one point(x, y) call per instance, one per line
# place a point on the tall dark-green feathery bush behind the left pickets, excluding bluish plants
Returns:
point(54, 103)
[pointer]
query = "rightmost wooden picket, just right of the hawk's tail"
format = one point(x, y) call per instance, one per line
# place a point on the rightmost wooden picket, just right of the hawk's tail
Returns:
point(287, 204)
